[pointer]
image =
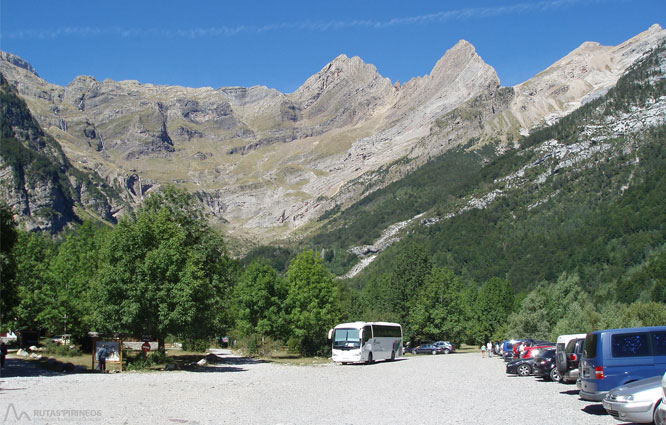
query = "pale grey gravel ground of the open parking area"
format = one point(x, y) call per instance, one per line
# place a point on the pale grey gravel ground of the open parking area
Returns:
point(454, 389)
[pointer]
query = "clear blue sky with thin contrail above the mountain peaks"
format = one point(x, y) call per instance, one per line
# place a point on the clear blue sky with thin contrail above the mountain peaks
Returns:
point(281, 43)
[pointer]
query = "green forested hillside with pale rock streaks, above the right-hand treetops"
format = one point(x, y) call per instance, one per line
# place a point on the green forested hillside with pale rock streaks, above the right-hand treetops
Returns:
point(597, 217)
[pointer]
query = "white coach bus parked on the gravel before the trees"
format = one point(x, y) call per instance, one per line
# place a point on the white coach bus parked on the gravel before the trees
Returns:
point(366, 342)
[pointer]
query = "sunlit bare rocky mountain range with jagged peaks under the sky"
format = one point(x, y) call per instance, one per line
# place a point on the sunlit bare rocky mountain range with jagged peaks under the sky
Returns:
point(265, 163)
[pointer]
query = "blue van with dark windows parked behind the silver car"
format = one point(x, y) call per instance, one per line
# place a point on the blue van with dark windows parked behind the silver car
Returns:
point(615, 357)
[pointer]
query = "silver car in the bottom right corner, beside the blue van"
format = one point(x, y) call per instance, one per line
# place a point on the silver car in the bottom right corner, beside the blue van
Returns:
point(635, 402)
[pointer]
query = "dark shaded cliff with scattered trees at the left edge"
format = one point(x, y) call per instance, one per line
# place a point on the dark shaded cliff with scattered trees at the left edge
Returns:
point(37, 180)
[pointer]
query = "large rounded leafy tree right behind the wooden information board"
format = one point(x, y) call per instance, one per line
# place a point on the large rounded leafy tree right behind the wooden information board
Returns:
point(158, 273)
